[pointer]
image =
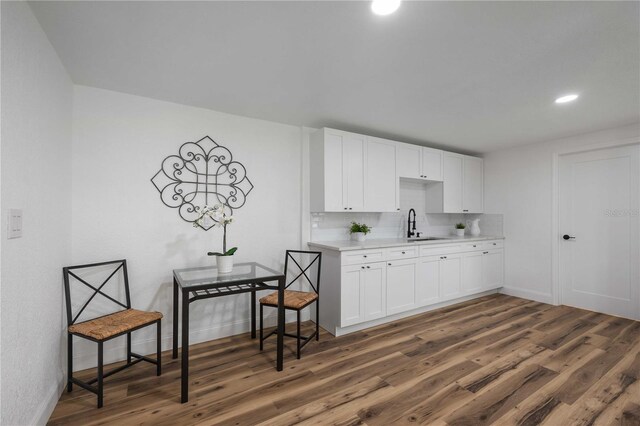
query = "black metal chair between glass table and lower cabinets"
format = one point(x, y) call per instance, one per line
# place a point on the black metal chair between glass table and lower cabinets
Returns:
point(296, 300)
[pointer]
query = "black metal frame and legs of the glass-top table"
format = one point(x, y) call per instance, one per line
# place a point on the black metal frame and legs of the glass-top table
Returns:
point(211, 290)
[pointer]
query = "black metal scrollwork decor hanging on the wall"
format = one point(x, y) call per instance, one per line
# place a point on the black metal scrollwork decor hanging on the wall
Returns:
point(202, 173)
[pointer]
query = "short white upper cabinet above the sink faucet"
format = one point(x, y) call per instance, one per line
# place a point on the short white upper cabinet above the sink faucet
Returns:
point(416, 162)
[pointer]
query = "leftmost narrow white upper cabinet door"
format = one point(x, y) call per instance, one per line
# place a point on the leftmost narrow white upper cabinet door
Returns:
point(333, 173)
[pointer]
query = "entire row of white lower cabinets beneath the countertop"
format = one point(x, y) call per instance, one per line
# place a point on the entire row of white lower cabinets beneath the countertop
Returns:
point(377, 283)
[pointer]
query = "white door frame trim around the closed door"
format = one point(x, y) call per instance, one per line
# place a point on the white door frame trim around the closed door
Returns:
point(555, 205)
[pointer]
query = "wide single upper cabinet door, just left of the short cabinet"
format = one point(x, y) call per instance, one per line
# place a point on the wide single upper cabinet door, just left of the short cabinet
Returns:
point(380, 173)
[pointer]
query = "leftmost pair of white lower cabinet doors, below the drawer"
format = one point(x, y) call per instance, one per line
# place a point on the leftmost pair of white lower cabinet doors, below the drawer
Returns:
point(363, 293)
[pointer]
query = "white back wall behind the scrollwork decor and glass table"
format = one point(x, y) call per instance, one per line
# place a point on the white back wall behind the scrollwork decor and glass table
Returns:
point(119, 142)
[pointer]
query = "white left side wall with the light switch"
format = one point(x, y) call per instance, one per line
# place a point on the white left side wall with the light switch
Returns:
point(36, 177)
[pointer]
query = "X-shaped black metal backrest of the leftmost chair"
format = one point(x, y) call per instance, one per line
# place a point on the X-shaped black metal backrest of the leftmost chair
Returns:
point(73, 274)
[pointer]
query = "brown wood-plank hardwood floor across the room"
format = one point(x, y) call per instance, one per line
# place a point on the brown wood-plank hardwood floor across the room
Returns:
point(494, 360)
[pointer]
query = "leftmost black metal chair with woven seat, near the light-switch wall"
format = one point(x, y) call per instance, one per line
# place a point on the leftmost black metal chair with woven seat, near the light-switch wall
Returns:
point(106, 327)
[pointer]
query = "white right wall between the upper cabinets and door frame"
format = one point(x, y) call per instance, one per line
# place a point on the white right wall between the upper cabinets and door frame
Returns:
point(518, 183)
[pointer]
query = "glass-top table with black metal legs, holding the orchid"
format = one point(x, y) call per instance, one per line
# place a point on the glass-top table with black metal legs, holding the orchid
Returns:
point(205, 283)
